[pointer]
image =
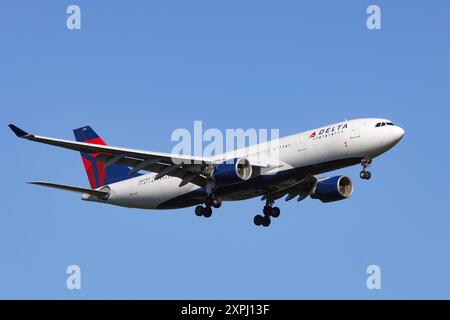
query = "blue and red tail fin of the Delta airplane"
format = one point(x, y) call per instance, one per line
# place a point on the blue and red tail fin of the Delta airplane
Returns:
point(97, 174)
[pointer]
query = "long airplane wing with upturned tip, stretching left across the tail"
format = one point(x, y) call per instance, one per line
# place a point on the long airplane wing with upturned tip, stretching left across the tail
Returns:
point(189, 168)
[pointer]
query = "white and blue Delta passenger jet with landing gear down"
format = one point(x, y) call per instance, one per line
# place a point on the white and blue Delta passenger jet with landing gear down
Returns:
point(271, 170)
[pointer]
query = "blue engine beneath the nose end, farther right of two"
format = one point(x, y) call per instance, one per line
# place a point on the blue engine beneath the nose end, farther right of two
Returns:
point(333, 189)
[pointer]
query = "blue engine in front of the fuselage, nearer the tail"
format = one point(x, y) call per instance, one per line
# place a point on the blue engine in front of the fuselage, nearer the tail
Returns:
point(233, 172)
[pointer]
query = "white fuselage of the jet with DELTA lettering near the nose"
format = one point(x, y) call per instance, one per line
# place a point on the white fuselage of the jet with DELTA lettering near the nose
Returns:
point(333, 144)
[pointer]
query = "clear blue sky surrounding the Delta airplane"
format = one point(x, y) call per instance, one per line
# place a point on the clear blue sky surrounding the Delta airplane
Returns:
point(138, 70)
